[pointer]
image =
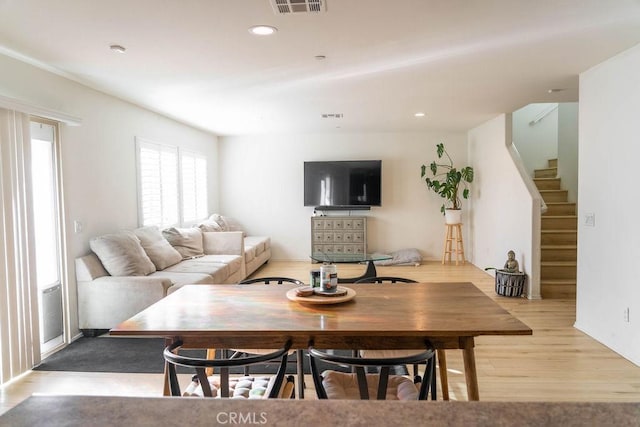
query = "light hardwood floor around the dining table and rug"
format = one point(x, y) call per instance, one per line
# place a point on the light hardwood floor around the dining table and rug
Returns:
point(557, 363)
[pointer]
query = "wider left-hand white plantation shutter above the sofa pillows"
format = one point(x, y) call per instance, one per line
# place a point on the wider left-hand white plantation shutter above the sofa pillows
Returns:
point(158, 184)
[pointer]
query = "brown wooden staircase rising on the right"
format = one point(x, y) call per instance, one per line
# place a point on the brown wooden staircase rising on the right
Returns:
point(559, 237)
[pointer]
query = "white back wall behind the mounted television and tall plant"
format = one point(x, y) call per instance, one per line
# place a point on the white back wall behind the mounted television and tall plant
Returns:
point(262, 177)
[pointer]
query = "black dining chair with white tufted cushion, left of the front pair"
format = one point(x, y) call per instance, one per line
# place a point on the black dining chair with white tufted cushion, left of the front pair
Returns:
point(222, 385)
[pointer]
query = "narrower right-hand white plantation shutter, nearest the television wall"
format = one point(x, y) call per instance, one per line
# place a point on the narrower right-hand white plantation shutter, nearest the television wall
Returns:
point(194, 186)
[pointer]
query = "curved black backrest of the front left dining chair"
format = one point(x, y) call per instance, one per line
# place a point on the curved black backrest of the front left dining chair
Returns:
point(172, 356)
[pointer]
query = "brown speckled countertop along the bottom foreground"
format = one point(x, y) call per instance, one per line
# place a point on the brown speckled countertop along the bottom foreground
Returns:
point(137, 411)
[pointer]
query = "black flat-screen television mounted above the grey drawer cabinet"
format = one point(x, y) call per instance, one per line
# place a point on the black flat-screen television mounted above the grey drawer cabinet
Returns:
point(343, 183)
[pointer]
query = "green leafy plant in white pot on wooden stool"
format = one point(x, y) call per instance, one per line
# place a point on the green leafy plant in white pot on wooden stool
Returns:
point(447, 181)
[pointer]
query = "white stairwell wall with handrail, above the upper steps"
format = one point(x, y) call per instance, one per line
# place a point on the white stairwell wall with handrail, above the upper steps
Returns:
point(536, 143)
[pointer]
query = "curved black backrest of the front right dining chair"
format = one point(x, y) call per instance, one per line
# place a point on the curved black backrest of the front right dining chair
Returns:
point(383, 365)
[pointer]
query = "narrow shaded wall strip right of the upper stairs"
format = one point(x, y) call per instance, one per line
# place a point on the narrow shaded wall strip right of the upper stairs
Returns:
point(568, 148)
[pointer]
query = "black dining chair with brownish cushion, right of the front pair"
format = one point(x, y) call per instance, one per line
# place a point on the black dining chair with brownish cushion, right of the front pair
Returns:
point(372, 378)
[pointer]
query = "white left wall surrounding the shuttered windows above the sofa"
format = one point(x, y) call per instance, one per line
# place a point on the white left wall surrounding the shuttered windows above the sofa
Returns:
point(98, 157)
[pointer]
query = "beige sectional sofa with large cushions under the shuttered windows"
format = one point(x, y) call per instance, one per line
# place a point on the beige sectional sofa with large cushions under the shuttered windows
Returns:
point(130, 270)
